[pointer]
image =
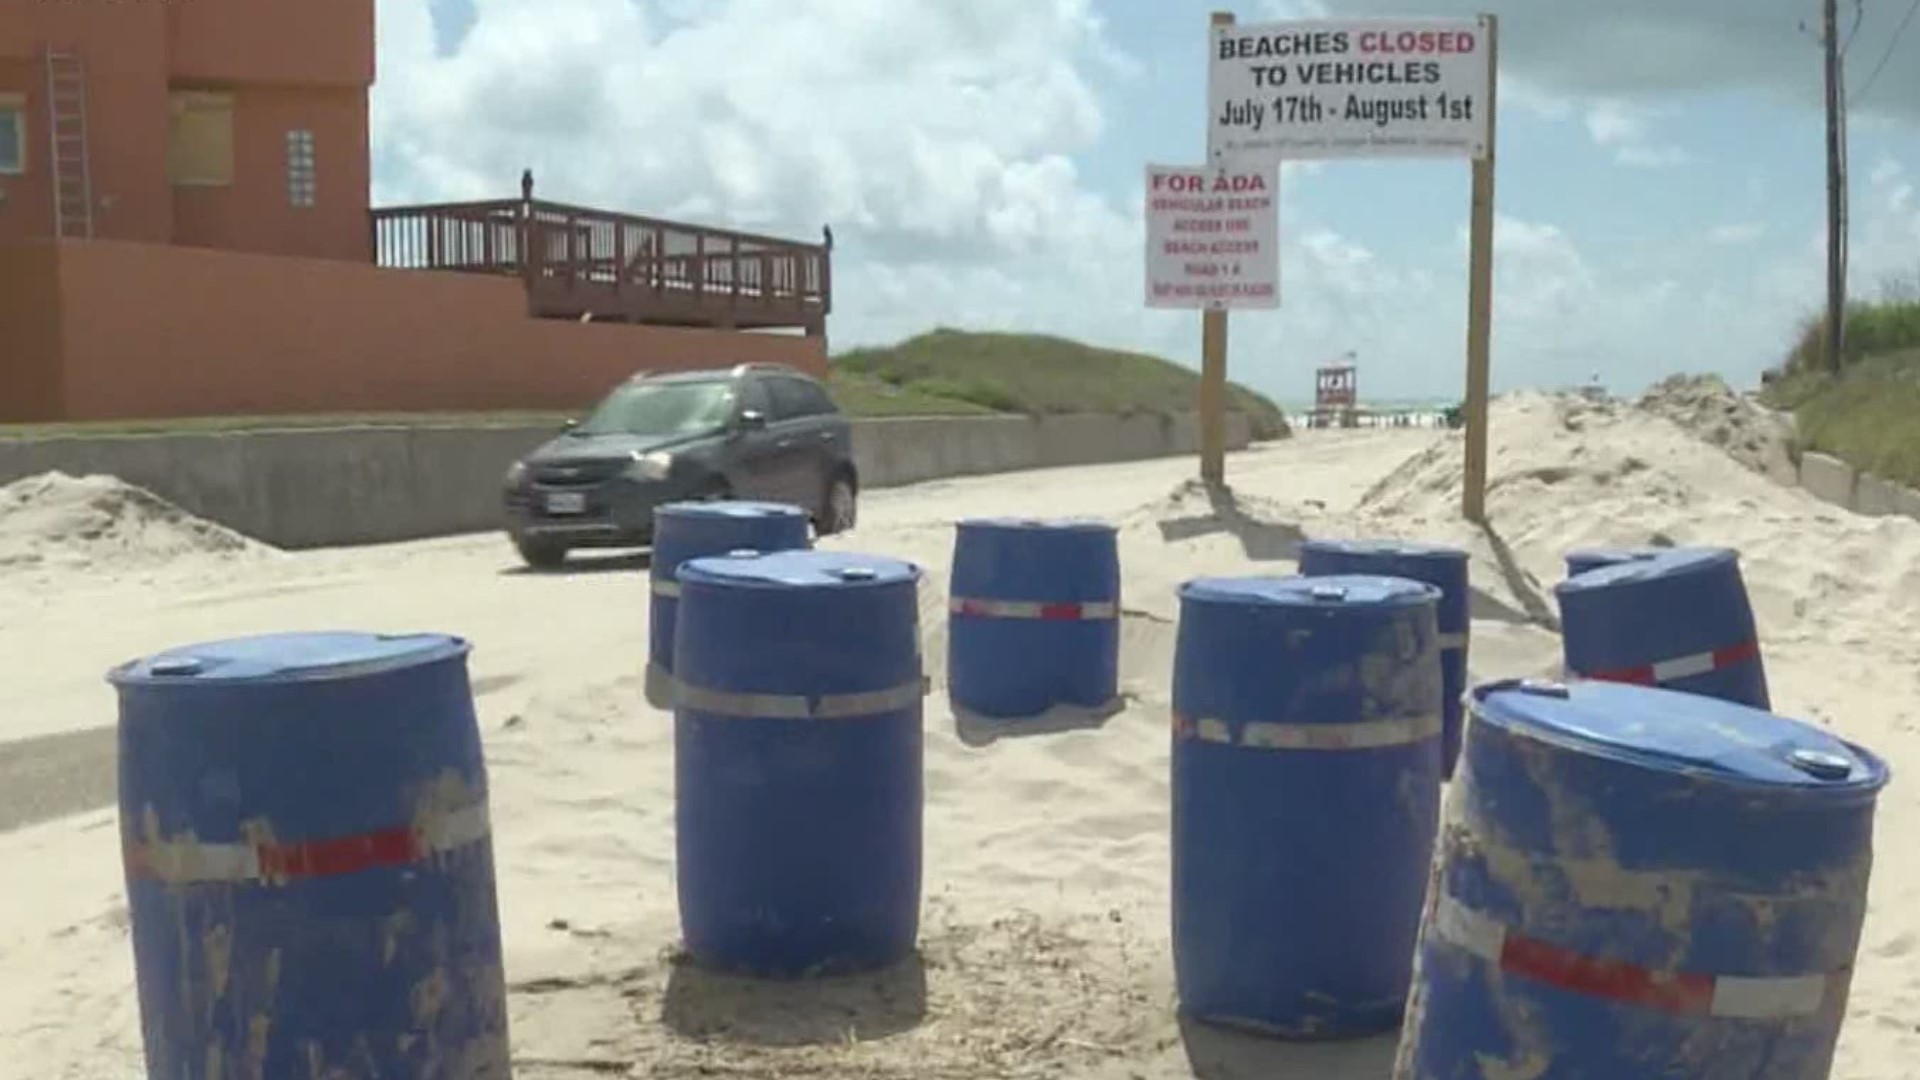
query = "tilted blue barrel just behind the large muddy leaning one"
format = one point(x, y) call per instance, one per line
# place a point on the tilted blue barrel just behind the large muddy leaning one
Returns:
point(1679, 620)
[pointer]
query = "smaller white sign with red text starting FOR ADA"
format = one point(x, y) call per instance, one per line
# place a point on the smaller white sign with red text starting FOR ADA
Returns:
point(1212, 237)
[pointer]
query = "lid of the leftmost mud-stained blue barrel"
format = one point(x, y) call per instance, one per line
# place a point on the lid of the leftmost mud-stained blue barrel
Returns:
point(287, 658)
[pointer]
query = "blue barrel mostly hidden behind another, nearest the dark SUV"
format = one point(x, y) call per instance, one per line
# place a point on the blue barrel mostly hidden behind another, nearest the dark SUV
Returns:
point(694, 529)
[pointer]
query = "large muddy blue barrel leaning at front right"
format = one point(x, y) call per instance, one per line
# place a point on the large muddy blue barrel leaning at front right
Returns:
point(1637, 883)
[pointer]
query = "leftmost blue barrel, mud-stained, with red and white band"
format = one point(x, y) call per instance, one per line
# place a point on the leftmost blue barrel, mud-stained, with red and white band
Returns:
point(310, 871)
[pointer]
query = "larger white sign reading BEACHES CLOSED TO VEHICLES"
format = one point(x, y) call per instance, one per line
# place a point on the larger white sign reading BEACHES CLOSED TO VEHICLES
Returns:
point(1351, 89)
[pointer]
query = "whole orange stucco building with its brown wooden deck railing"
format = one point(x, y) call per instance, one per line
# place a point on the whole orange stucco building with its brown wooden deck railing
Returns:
point(185, 230)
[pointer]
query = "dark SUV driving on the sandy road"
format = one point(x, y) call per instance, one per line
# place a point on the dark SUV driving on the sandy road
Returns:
point(759, 431)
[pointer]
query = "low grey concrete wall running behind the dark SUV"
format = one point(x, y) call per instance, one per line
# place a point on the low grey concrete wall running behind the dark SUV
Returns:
point(314, 489)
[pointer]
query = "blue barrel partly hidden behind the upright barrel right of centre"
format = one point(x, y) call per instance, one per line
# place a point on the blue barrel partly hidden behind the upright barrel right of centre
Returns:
point(1437, 566)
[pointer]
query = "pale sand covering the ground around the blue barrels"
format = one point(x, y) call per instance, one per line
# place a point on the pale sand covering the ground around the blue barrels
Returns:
point(1045, 920)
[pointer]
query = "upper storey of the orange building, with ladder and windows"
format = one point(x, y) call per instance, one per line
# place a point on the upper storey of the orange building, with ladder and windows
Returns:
point(210, 124)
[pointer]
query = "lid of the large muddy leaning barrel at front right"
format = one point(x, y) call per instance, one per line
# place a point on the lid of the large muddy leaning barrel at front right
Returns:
point(1681, 733)
